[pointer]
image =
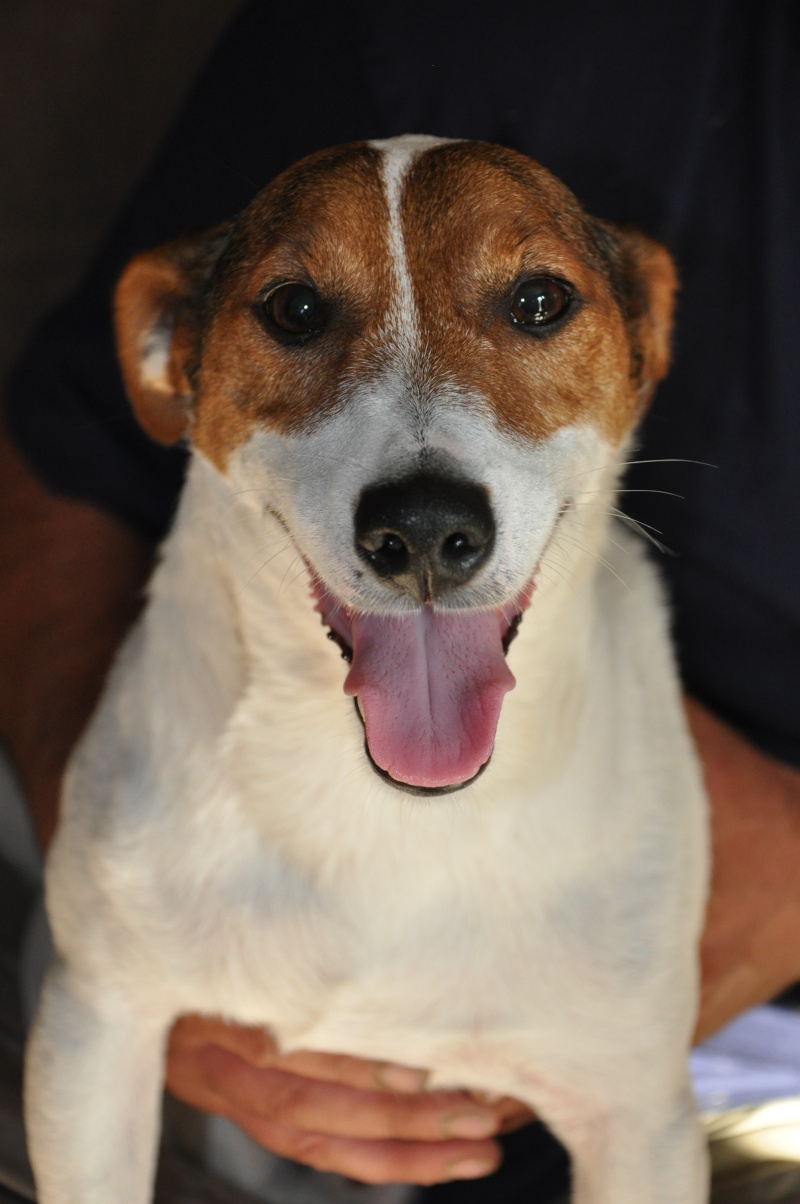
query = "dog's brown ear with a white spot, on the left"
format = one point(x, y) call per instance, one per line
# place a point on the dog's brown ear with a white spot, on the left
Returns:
point(160, 308)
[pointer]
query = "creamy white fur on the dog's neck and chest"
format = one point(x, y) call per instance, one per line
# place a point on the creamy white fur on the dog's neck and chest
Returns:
point(272, 878)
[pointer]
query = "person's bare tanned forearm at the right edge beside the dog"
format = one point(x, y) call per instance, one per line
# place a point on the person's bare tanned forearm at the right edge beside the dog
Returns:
point(751, 945)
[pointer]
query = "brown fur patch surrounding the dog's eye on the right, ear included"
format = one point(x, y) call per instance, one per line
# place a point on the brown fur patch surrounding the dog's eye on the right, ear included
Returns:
point(479, 221)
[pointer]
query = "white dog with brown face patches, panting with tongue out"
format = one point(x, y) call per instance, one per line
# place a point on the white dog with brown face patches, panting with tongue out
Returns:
point(410, 374)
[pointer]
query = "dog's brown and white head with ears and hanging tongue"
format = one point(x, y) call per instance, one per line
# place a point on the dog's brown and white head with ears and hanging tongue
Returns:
point(423, 357)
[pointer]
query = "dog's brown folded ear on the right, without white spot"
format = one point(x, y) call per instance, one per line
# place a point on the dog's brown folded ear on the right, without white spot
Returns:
point(644, 278)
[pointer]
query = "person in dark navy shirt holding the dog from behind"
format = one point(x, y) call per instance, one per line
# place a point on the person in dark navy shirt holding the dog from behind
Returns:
point(679, 119)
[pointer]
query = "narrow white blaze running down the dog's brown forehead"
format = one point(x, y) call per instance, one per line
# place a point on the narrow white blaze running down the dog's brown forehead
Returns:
point(398, 158)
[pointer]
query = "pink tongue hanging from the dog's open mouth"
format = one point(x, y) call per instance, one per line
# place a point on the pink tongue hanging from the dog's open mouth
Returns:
point(431, 688)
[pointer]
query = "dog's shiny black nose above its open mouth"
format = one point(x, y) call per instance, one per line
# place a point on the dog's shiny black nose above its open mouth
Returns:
point(425, 534)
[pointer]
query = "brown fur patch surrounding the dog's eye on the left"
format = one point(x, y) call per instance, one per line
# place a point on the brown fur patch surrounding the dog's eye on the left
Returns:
point(323, 223)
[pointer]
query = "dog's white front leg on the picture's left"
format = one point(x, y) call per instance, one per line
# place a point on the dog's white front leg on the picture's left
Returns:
point(93, 1089)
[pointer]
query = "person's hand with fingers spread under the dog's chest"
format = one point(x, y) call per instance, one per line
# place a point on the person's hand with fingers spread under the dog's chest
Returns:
point(369, 1122)
